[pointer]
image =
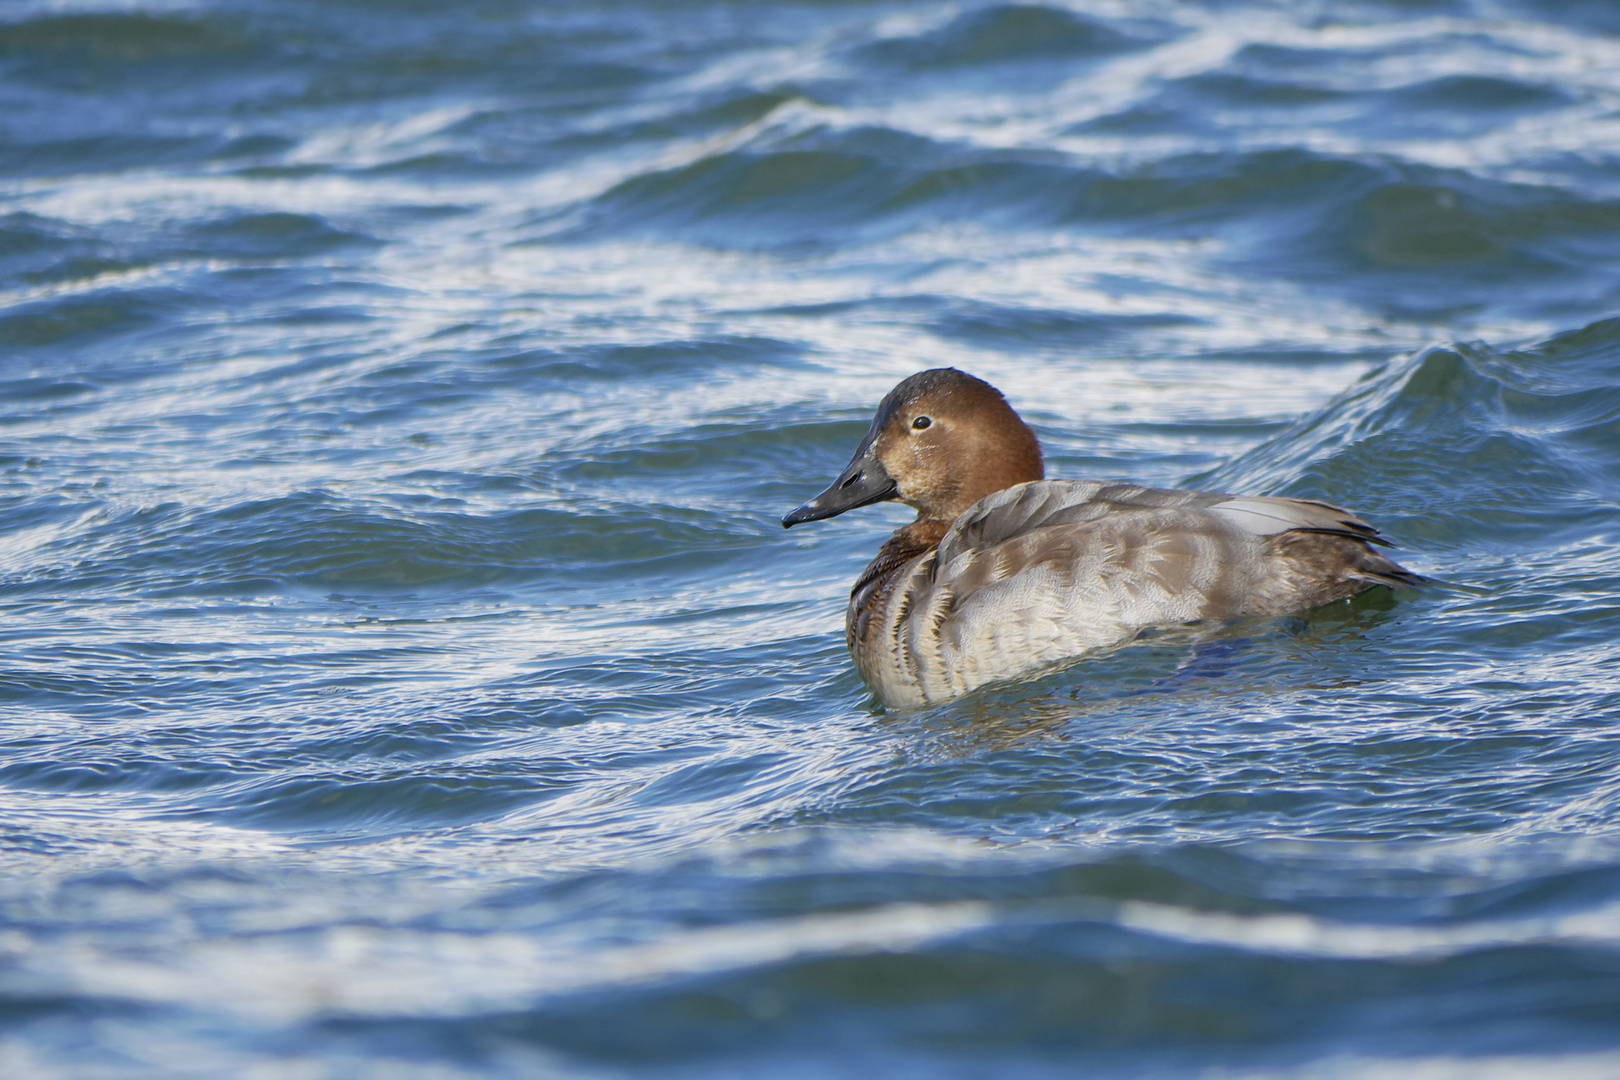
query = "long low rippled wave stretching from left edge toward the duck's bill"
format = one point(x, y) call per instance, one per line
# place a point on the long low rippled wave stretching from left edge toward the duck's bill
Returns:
point(317, 540)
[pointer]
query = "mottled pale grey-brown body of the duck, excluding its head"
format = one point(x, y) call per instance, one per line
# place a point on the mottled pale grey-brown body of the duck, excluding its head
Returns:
point(1049, 571)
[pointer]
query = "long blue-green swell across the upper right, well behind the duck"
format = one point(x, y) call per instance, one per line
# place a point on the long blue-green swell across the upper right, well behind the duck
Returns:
point(1405, 240)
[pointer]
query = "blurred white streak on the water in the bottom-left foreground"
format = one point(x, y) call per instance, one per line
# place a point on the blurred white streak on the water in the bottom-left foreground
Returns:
point(362, 971)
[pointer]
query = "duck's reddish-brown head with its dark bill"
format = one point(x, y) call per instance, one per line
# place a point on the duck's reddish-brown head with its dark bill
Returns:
point(940, 443)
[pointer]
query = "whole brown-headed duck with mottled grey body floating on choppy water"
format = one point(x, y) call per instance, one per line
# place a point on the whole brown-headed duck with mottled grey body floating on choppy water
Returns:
point(1005, 572)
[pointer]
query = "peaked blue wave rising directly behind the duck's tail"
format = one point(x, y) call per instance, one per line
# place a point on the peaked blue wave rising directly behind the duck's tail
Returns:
point(1465, 446)
